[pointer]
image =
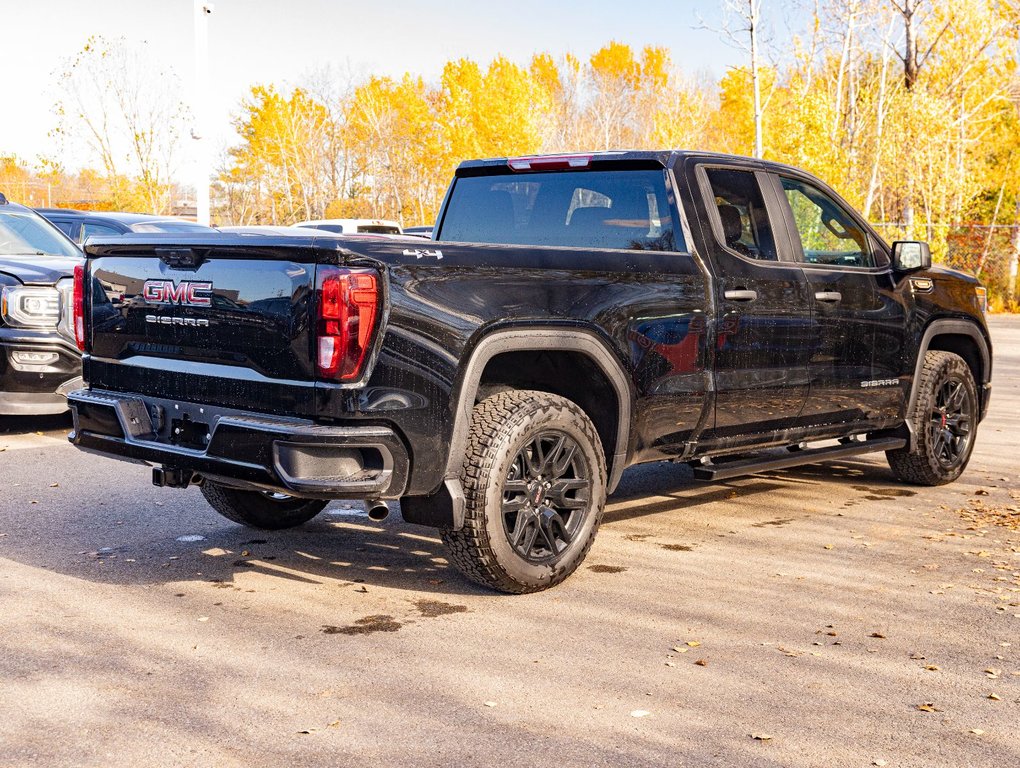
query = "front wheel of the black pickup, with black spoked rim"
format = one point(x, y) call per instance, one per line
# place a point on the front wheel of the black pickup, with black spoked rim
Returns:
point(944, 432)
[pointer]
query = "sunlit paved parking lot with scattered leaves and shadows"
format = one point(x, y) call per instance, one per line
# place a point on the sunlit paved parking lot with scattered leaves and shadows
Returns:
point(821, 617)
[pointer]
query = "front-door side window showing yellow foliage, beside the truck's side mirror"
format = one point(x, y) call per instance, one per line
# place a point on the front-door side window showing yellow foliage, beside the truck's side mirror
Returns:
point(829, 235)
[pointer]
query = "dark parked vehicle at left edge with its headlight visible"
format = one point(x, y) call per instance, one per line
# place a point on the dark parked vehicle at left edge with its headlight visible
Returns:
point(39, 360)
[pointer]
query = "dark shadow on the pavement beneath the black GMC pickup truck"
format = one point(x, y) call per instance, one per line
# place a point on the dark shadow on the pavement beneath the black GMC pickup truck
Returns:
point(343, 548)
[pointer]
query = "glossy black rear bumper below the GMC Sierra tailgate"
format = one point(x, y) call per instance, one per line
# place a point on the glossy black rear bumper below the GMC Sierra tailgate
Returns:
point(242, 449)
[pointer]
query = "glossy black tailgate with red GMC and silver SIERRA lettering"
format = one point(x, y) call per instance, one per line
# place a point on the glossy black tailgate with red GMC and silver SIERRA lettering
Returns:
point(208, 320)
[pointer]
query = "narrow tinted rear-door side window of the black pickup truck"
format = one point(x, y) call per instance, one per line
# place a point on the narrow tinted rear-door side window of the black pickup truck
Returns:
point(741, 208)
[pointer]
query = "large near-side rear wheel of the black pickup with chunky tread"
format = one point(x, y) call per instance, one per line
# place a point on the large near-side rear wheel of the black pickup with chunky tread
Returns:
point(512, 435)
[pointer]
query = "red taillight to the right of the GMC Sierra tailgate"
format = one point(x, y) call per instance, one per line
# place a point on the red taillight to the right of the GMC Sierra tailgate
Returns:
point(348, 309)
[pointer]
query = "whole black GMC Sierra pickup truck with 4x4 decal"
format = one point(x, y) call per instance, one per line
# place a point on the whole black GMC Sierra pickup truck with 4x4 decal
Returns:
point(573, 317)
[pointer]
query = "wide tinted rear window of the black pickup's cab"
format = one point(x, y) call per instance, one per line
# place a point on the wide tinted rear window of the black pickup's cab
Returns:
point(617, 210)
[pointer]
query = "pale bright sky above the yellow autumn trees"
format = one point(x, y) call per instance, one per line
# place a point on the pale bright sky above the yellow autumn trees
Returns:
point(281, 41)
